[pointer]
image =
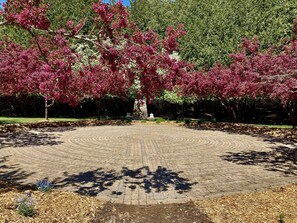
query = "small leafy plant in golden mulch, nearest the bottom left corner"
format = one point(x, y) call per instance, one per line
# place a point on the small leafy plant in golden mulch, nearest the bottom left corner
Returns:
point(25, 205)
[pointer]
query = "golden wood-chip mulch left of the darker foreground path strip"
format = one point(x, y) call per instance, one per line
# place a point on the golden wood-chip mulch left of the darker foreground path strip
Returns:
point(53, 206)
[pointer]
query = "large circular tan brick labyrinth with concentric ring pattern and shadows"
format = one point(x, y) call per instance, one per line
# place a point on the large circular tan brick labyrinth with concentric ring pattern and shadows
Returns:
point(145, 164)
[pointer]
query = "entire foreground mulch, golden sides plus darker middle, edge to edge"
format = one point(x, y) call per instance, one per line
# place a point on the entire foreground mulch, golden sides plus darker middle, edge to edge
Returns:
point(62, 206)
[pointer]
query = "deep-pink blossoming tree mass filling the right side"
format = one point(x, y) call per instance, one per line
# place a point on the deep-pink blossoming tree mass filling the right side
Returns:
point(270, 74)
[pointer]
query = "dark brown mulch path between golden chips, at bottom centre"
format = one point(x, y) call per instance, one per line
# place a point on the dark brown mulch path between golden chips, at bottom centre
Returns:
point(162, 213)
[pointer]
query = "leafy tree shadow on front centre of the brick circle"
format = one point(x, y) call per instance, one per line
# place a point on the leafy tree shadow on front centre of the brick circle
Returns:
point(94, 182)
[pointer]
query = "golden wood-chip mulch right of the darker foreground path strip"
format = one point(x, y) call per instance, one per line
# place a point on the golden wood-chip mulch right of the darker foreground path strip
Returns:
point(257, 207)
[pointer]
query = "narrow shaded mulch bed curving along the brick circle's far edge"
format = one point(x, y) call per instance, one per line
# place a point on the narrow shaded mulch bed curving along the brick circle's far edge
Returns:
point(254, 130)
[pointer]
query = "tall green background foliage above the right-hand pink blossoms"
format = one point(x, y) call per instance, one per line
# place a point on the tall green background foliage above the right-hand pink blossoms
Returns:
point(215, 28)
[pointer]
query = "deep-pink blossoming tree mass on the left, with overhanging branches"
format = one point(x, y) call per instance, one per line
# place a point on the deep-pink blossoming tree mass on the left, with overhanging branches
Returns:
point(51, 66)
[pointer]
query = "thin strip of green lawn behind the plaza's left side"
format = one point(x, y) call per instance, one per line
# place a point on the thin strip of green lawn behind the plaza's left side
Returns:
point(19, 120)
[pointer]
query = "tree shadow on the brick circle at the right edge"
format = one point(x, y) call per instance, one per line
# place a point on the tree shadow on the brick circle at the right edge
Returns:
point(280, 159)
